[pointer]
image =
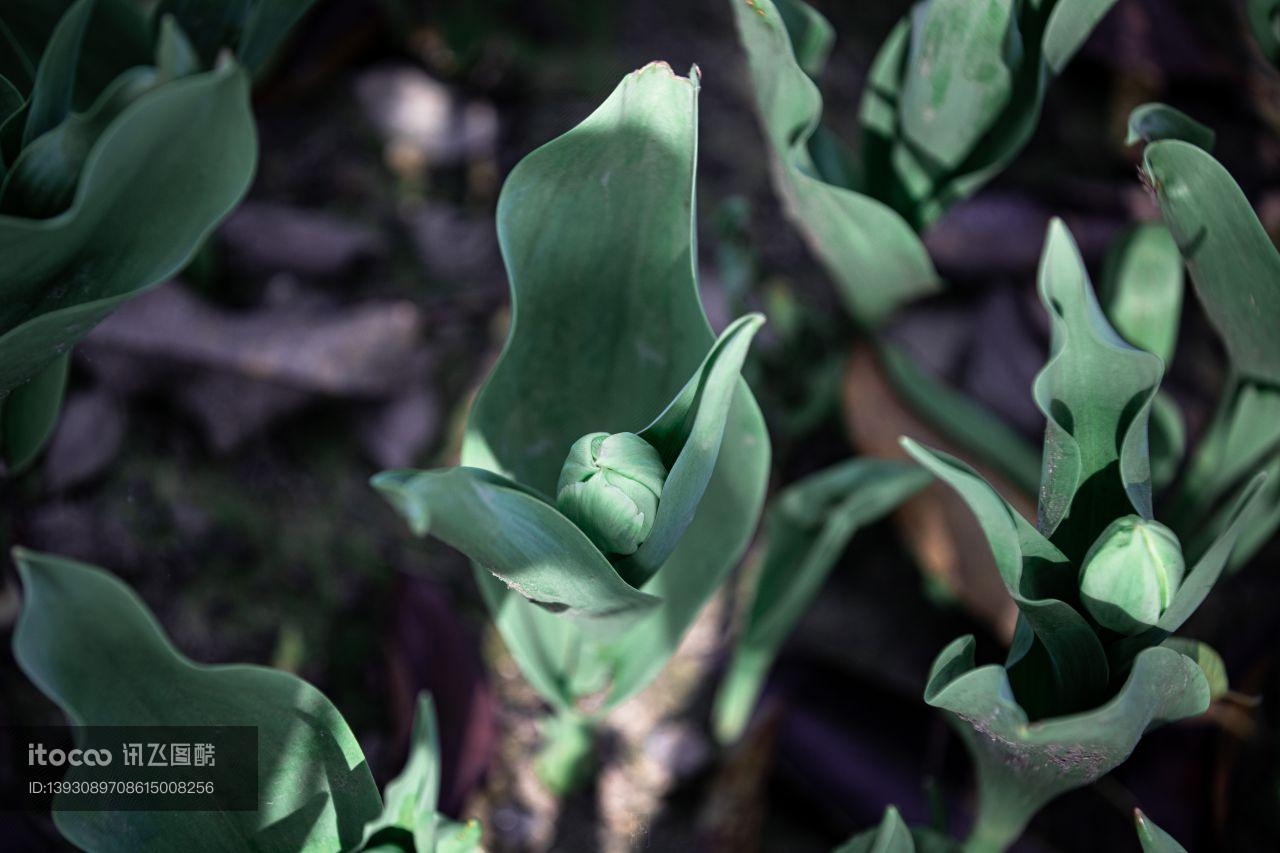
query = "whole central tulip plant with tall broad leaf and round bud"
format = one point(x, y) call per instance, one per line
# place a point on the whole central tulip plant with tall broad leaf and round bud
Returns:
point(615, 463)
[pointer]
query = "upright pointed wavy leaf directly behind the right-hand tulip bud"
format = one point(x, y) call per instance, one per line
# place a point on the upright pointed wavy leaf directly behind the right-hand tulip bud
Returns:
point(1096, 394)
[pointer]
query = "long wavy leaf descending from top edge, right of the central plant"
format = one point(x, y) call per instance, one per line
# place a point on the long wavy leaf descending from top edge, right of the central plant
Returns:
point(875, 258)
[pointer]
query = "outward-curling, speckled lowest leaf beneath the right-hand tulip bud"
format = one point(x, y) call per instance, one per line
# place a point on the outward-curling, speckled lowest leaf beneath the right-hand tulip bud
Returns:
point(1023, 765)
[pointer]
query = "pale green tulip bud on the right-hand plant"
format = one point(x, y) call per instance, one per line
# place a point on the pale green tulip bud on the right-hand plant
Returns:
point(1131, 574)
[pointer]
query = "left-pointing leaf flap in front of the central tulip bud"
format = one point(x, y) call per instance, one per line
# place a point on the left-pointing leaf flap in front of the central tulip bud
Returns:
point(519, 537)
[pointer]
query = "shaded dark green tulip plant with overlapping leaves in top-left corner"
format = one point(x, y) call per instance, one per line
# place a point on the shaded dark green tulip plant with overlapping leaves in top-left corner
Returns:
point(125, 140)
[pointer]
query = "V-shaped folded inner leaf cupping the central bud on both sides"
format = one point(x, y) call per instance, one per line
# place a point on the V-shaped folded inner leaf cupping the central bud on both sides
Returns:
point(520, 537)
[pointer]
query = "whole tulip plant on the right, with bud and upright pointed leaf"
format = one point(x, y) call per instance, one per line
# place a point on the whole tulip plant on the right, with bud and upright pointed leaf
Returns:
point(1101, 586)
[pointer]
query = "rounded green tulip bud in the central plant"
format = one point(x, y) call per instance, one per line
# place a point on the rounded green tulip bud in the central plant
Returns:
point(610, 489)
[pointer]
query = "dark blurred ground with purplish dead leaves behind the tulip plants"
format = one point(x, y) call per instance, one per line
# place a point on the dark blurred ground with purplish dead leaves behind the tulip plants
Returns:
point(220, 432)
